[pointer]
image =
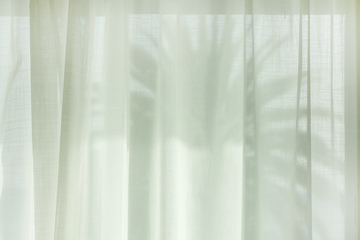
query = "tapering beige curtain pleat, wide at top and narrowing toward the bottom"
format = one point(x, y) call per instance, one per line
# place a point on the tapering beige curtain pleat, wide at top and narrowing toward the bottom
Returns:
point(47, 74)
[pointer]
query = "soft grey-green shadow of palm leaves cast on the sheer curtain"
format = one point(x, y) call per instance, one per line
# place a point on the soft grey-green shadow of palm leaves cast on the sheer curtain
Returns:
point(210, 96)
